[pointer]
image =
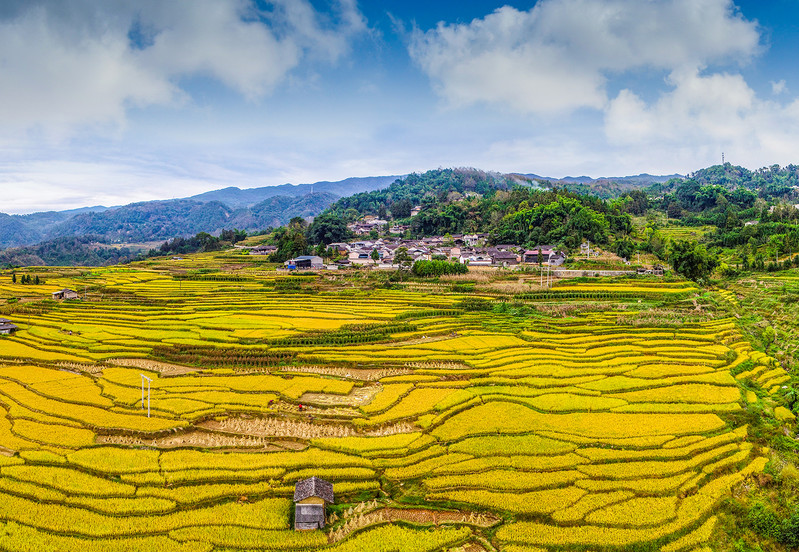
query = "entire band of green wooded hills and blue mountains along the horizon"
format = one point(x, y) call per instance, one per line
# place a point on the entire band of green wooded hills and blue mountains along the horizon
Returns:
point(459, 200)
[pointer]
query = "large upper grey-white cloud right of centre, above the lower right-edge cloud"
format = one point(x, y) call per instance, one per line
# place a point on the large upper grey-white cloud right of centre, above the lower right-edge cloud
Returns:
point(559, 55)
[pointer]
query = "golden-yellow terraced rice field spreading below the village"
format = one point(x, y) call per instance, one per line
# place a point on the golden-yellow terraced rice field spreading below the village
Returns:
point(531, 433)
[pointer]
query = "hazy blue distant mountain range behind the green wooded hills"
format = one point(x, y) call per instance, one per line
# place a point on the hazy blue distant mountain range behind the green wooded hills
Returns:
point(248, 209)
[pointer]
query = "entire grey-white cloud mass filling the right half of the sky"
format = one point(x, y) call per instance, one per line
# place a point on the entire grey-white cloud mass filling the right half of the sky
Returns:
point(563, 56)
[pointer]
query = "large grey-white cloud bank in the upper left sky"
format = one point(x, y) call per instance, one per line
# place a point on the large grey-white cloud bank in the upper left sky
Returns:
point(72, 63)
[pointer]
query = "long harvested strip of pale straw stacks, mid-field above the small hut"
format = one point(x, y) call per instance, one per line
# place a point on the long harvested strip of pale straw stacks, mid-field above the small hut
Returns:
point(277, 427)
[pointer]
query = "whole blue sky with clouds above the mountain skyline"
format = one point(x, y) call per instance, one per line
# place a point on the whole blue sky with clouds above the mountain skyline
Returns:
point(129, 100)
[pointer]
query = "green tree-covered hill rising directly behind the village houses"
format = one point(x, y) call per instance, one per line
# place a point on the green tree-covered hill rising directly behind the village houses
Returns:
point(508, 208)
